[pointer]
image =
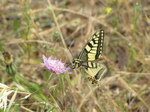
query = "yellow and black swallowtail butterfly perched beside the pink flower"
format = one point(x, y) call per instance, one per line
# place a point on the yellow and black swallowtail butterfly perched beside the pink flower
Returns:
point(87, 58)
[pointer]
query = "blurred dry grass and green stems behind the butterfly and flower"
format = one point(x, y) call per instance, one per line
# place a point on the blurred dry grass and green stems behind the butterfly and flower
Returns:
point(30, 28)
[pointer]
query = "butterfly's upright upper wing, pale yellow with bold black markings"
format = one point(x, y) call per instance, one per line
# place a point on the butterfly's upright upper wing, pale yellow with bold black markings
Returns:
point(93, 49)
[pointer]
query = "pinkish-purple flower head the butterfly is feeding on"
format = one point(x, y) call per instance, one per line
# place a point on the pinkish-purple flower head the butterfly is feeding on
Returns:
point(55, 66)
